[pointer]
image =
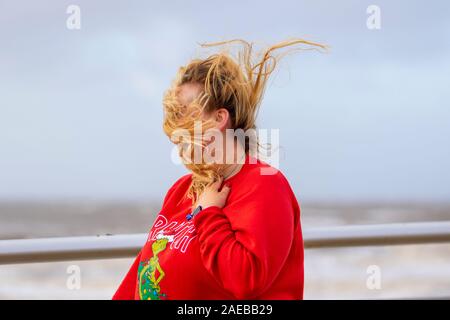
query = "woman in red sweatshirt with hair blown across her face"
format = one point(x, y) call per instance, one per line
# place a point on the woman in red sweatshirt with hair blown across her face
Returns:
point(231, 229)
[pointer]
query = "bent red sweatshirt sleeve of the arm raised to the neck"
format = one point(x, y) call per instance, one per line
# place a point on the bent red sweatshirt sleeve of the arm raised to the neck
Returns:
point(245, 245)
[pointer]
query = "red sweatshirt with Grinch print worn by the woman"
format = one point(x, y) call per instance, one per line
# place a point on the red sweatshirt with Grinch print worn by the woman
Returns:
point(250, 249)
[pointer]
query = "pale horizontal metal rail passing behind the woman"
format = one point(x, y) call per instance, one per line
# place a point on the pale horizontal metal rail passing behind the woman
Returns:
point(123, 246)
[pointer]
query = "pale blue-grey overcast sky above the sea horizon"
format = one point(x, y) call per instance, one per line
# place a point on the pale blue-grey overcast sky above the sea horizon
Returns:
point(80, 110)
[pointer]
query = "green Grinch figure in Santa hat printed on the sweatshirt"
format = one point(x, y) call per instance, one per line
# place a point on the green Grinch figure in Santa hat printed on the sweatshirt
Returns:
point(150, 272)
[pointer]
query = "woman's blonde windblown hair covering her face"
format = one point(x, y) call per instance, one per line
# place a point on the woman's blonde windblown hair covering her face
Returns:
point(236, 83)
